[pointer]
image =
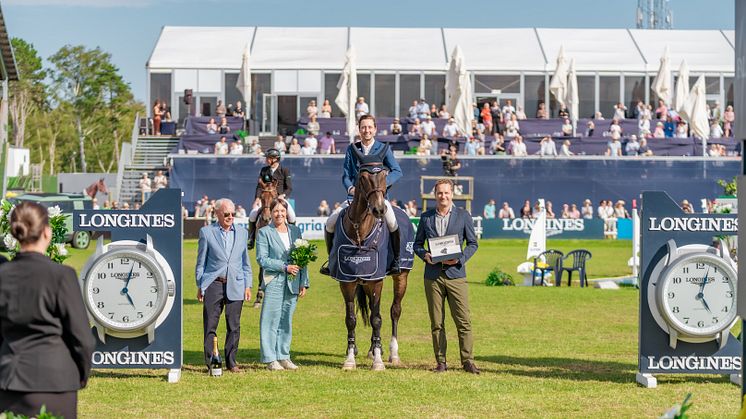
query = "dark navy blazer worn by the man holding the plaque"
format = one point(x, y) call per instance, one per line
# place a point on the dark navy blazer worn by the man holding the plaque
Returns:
point(460, 223)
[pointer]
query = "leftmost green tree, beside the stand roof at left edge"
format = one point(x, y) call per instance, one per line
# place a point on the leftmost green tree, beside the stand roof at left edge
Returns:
point(29, 93)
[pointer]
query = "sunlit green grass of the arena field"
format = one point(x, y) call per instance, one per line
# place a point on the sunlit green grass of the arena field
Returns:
point(544, 352)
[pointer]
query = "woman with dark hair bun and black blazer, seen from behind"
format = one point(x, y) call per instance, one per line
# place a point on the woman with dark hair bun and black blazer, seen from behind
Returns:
point(45, 338)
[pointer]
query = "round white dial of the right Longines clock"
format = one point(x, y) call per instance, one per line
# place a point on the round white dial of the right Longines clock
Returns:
point(698, 294)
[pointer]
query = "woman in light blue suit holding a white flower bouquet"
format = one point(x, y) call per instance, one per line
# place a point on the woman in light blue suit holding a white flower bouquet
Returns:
point(281, 292)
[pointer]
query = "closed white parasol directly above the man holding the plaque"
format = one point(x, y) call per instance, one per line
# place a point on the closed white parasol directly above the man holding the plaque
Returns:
point(459, 91)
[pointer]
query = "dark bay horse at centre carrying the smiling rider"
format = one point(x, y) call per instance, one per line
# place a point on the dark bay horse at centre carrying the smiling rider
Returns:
point(361, 221)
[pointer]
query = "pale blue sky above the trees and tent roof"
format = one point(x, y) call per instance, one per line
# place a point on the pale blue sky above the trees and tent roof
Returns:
point(128, 29)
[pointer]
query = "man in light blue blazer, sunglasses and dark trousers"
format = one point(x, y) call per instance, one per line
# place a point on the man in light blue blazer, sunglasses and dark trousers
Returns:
point(223, 275)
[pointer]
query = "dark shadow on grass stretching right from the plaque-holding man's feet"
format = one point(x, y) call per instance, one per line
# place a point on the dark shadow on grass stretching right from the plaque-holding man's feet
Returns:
point(579, 369)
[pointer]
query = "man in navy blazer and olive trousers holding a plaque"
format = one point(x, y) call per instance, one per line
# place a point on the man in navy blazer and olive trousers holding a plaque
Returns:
point(445, 229)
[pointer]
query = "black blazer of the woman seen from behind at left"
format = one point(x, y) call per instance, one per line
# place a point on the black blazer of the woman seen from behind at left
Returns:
point(45, 337)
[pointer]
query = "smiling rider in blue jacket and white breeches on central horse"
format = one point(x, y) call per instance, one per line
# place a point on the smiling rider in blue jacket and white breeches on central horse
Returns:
point(367, 149)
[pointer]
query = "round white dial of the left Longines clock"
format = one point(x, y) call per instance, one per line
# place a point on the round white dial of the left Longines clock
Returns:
point(125, 290)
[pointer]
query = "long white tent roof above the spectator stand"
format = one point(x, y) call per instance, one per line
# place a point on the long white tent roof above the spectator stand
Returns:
point(428, 49)
